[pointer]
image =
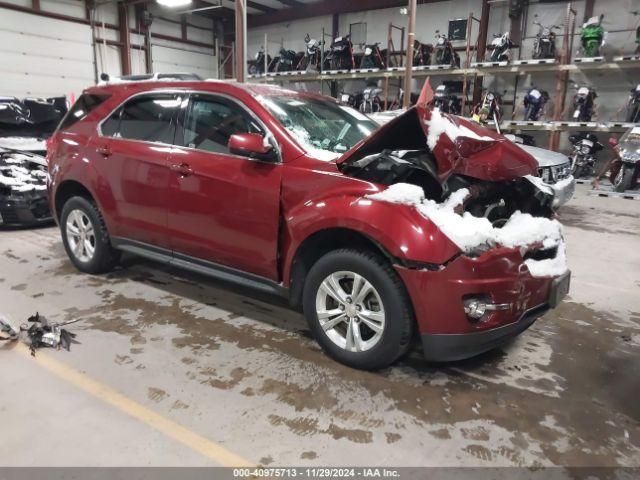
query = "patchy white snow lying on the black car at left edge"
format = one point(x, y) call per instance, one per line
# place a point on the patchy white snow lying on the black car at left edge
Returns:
point(22, 172)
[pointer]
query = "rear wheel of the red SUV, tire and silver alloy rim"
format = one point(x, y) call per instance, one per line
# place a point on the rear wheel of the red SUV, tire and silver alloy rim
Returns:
point(104, 257)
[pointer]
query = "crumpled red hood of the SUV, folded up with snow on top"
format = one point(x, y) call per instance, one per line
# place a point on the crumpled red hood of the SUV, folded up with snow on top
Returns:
point(460, 146)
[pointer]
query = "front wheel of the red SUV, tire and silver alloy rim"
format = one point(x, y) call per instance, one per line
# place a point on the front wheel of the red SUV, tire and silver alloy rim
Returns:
point(388, 296)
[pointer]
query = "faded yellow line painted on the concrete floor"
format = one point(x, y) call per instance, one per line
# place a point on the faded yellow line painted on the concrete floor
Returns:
point(103, 392)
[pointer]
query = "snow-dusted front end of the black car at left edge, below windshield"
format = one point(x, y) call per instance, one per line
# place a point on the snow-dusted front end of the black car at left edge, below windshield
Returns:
point(23, 188)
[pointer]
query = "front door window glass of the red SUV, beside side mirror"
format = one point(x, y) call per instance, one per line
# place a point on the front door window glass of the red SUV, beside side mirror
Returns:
point(210, 121)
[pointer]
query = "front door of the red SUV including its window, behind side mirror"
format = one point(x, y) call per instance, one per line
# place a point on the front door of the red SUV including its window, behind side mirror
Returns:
point(223, 208)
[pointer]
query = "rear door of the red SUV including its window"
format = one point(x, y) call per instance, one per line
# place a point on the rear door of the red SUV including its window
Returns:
point(133, 156)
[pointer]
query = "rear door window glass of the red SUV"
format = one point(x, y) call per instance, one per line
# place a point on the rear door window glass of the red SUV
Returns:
point(149, 118)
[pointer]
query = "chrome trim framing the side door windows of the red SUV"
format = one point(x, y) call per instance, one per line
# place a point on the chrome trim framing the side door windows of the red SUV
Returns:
point(188, 93)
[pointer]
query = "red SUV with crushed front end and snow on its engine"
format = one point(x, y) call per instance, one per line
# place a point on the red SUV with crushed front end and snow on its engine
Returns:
point(428, 227)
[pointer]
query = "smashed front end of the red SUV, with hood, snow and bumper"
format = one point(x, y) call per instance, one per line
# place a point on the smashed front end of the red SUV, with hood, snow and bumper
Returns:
point(483, 193)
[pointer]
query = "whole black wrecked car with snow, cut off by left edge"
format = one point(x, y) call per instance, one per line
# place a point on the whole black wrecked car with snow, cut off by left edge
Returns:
point(24, 127)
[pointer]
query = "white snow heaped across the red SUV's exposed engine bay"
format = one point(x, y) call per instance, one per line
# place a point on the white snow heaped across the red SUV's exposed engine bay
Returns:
point(471, 233)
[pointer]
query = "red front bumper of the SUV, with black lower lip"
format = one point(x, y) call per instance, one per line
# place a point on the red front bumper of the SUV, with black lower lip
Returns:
point(499, 275)
